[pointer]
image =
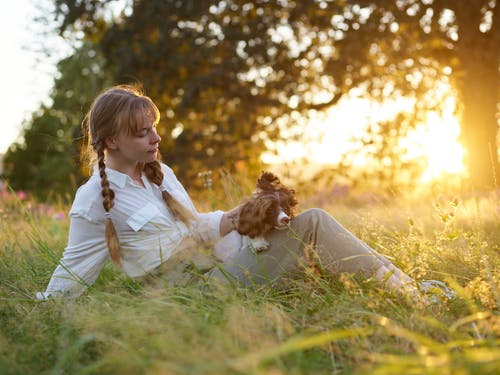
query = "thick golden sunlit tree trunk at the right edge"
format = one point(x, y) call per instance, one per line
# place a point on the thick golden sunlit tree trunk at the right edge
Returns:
point(477, 52)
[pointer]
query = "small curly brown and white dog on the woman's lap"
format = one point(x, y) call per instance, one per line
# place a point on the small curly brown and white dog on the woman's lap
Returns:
point(270, 207)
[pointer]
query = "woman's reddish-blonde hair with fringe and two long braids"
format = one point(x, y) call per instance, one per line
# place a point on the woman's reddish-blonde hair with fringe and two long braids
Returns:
point(117, 109)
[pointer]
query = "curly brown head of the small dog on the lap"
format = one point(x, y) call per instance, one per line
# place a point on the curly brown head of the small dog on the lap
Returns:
point(272, 205)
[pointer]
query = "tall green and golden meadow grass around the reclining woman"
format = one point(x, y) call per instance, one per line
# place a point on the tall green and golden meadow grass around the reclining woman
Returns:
point(328, 325)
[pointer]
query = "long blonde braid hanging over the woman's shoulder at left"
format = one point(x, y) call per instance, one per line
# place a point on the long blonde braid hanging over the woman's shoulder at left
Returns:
point(108, 196)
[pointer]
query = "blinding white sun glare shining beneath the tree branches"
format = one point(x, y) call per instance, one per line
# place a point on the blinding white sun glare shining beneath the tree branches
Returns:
point(329, 136)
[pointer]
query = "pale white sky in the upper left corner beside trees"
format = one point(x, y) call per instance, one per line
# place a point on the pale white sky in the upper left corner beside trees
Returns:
point(26, 75)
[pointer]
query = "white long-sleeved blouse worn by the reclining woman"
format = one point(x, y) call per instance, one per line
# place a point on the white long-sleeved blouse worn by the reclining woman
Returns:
point(148, 232)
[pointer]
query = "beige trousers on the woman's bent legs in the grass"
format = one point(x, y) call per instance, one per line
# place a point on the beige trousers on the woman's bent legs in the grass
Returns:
point(335, 249)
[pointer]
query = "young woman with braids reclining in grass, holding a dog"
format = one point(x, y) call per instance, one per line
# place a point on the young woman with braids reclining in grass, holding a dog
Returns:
point(134, 211)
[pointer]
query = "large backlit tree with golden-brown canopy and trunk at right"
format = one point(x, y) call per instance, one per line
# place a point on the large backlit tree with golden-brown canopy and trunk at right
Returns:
point(238, 66)
